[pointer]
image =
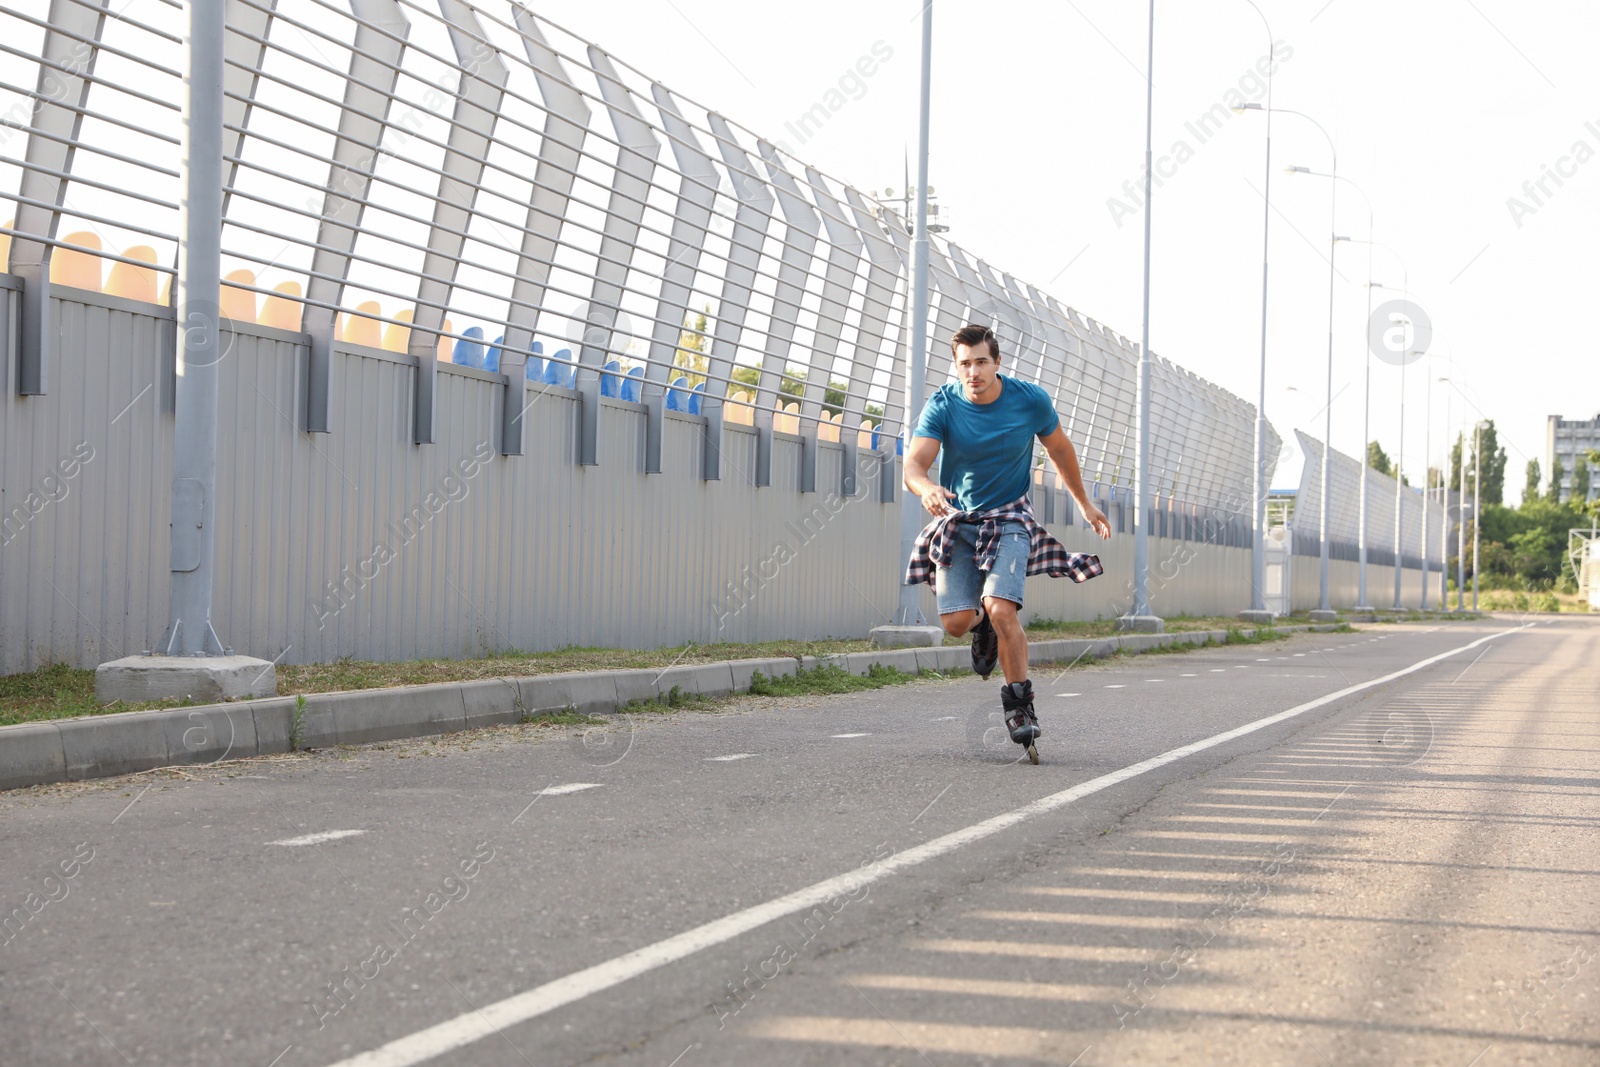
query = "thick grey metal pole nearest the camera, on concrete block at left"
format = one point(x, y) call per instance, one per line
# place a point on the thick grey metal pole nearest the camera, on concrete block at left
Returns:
point(199, 286)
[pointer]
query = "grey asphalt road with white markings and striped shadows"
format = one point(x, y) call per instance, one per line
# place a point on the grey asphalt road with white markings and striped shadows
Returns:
point(1404, 874)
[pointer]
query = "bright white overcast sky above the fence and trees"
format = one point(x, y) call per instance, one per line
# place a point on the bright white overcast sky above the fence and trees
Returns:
point(1473, 127)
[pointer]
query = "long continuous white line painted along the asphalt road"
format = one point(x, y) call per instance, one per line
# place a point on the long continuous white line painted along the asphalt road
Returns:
point(482, 1023)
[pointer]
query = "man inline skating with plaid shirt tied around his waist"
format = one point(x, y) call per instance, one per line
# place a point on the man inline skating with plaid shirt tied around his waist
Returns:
point(985, 541)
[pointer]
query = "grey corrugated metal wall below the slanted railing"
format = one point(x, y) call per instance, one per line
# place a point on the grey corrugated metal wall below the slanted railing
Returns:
point(364, 545)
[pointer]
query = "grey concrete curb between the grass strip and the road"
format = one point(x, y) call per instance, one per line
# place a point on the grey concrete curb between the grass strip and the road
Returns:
point(103, 746)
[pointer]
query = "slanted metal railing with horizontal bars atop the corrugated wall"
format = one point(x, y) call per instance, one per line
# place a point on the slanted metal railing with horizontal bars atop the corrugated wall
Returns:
point(473, 183)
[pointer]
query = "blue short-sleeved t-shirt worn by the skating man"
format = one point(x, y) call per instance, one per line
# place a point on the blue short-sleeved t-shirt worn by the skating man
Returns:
point(988, 449)
